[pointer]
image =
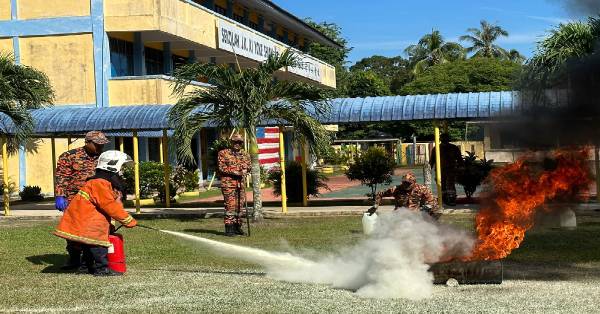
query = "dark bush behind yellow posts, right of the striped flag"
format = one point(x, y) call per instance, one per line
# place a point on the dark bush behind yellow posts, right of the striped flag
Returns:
point(293, 184)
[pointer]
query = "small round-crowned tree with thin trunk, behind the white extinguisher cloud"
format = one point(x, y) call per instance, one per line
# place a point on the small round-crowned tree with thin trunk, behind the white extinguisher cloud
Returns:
point(372, 168)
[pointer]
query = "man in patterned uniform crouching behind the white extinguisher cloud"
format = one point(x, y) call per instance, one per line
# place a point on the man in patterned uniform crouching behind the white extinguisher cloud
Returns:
point(411, 195)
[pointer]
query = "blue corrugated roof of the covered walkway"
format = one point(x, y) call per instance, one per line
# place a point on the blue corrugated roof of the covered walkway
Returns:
point(152, 119)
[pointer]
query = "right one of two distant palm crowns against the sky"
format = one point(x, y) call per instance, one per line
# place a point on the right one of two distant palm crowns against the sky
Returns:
point(483, 40)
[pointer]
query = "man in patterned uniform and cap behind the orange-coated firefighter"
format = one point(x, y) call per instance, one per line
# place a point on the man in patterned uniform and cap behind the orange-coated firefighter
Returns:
point(72, 170)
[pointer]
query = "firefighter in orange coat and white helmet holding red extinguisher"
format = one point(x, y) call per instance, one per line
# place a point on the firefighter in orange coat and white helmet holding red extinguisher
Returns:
point(87, 219)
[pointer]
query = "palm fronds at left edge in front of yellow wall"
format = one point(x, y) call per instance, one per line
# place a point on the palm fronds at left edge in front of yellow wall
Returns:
point(21, 88)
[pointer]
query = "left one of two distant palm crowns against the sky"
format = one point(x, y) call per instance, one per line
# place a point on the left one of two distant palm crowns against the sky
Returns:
point(431, 50)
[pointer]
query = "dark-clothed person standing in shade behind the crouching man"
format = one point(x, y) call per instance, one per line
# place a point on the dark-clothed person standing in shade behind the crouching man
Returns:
point(450, 161)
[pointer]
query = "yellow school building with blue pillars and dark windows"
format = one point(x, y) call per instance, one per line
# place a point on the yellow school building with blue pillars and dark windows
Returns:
point(104, 53)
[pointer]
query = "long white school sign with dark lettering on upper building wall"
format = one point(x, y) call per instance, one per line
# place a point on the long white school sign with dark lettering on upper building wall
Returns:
point(257, 47)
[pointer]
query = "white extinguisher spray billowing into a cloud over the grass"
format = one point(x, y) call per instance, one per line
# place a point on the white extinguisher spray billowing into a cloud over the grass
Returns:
point(392, 263)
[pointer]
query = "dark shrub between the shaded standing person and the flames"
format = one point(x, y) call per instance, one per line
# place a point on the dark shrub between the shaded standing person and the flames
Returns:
point(473, 173)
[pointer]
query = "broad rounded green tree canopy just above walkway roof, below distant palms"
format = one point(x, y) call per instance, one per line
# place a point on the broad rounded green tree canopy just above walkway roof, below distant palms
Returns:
point(473, 75)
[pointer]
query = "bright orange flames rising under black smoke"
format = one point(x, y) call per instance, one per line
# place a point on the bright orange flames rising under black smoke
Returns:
point(519, 190)
